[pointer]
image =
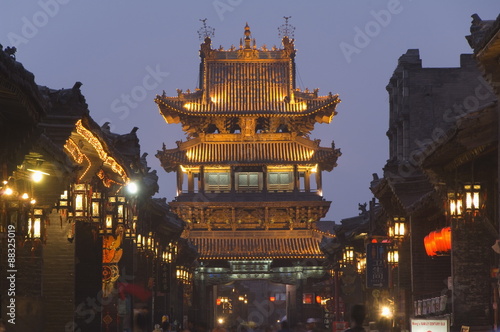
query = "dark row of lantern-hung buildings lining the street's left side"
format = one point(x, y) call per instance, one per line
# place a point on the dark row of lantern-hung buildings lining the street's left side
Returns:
point(74, 234)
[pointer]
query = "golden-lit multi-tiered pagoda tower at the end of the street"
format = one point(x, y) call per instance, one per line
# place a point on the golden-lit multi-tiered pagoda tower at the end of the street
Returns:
point(248, 176)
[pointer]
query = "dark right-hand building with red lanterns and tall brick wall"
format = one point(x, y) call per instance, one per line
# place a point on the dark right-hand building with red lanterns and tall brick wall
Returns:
point(442, 178)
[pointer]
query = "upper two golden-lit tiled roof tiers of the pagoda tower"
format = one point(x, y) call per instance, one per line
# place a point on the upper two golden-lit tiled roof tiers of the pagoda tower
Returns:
point(248, 111)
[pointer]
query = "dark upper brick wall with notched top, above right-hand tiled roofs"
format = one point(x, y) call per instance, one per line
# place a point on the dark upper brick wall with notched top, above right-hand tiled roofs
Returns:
point(426, 102)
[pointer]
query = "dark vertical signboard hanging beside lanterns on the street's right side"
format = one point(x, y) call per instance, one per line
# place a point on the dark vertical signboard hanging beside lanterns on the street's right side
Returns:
point(377, 268)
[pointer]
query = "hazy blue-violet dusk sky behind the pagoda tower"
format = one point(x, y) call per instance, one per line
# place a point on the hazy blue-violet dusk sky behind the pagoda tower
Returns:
point(126, 52)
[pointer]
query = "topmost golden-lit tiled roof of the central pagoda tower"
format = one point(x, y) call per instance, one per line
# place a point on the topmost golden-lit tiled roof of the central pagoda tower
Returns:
point(248, 81)
